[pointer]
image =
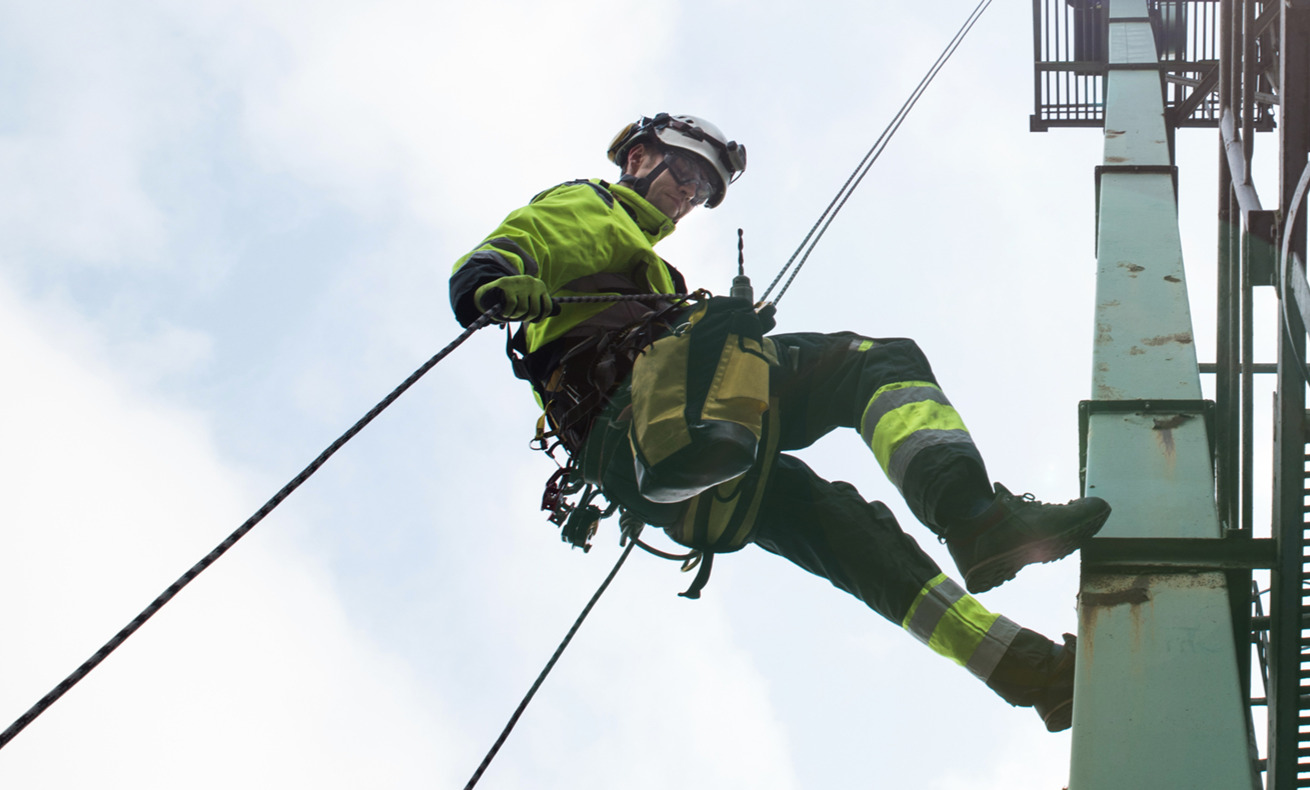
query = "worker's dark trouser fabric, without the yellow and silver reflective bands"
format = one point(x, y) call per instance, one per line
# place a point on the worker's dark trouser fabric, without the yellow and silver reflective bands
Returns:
point(826, 382)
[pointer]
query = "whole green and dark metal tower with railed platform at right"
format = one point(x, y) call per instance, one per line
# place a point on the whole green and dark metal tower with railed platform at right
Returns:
point(1168, 694)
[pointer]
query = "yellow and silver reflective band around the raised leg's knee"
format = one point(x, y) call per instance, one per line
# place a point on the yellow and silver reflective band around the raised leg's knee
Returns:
point(906, 417)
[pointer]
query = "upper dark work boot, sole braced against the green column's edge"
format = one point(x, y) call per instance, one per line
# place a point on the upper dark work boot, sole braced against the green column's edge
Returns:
point(1016, 531)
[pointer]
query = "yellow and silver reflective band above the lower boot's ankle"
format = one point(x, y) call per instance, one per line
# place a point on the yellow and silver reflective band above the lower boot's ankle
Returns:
point(956, 626)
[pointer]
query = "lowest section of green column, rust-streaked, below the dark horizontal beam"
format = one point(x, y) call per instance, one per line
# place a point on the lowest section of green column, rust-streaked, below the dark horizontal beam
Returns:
point(1150, 645)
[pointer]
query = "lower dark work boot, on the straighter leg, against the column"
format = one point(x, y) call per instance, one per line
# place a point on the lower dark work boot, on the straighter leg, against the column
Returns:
point(1038, 674)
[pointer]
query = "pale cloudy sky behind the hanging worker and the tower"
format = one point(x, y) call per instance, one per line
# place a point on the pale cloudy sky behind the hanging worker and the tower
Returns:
point(226, 230)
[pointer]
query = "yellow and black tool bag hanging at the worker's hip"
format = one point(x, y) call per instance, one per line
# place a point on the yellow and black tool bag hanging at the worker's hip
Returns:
point(699, 396)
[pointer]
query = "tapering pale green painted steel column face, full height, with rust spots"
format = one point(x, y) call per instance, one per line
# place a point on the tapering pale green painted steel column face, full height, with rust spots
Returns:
point(1159, 698)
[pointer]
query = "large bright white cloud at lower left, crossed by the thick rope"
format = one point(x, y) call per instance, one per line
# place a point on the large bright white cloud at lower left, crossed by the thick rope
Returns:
point(252, 673)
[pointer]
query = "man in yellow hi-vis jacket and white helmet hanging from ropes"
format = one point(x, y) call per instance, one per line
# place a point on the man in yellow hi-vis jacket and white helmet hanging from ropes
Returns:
point(611, 374)
